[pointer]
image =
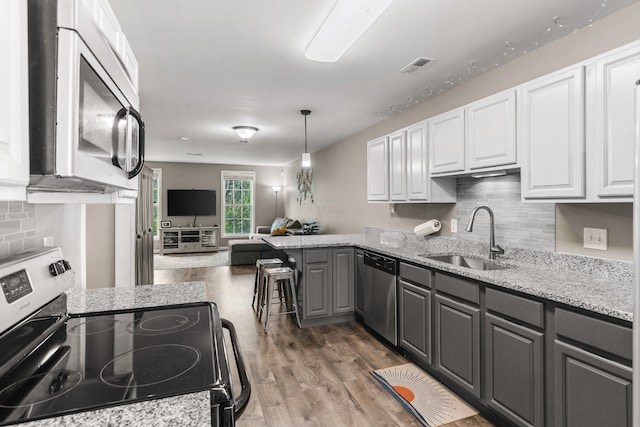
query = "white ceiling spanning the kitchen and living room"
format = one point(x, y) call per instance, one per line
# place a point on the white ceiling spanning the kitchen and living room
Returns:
point(209, 65)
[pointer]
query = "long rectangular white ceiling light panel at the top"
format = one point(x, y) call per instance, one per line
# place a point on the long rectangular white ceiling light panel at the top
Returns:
point(347, 21)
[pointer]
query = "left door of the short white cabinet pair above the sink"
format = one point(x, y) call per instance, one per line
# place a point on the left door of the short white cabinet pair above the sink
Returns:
point(446, 142)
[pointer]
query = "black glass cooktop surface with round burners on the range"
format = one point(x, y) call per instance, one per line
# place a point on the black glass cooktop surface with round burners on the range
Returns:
point(112, 358)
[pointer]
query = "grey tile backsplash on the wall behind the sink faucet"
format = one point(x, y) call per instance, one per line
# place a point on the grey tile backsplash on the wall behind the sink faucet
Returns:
point(517, 224)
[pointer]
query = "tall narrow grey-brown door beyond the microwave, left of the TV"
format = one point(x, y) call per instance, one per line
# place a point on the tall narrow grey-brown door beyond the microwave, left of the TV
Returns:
point(144, 228)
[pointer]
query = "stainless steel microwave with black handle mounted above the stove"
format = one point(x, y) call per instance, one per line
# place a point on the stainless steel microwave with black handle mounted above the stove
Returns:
point(86, 134)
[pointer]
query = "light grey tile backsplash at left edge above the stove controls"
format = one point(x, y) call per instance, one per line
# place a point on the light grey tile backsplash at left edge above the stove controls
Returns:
point(17, 227)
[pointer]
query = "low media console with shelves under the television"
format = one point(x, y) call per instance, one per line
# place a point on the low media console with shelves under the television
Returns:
point(189, 239)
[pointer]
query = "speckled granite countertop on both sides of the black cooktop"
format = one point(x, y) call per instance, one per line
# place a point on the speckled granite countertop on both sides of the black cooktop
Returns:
point(192, 409)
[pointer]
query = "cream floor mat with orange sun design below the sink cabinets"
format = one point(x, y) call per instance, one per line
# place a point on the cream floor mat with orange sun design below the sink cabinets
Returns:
point(428, 400)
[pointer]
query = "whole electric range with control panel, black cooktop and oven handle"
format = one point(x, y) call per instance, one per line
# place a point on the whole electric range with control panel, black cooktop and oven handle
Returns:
point(53, 363)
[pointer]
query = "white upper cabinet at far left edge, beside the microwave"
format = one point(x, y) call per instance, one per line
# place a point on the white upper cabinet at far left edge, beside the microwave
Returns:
point(14, 100)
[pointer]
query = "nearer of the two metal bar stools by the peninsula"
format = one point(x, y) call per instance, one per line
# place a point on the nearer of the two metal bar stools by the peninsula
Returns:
point(275, 276)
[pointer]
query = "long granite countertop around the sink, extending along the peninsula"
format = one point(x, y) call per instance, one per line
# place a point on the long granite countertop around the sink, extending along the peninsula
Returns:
point(594, 284)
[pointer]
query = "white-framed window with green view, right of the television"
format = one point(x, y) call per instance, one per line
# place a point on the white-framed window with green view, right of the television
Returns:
point(237, 203)
